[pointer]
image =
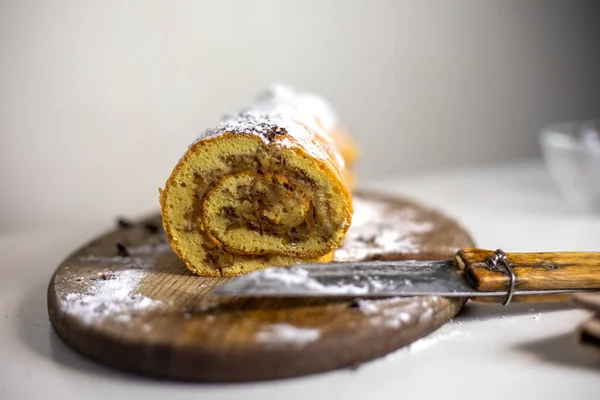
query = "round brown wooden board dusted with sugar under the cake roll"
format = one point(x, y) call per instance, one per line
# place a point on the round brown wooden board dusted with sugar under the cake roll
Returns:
point(127, 301)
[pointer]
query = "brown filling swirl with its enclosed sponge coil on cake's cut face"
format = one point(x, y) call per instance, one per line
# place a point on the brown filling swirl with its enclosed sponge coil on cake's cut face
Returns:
point(255, 197)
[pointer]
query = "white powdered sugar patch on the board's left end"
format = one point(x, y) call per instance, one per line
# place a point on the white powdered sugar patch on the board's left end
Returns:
point(112, 293)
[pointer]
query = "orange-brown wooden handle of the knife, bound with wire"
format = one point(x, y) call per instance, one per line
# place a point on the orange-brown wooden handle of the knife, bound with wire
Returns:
point(532, 271)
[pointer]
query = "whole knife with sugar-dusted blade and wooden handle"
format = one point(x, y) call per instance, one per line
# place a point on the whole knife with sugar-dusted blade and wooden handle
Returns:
point(484, 275)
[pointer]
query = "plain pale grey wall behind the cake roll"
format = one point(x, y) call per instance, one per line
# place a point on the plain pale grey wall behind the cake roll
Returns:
point(99, 99)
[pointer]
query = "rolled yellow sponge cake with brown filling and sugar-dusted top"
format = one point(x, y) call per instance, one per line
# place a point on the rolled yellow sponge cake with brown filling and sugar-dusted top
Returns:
point(267, 186)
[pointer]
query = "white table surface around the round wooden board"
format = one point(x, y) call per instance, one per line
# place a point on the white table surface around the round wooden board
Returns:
point(487, 352)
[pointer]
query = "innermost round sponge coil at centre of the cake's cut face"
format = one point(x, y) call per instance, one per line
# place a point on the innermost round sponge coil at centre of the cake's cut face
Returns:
point(250, 213)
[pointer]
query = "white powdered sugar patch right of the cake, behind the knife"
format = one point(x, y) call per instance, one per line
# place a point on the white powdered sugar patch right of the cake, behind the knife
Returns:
point(380, 229)
